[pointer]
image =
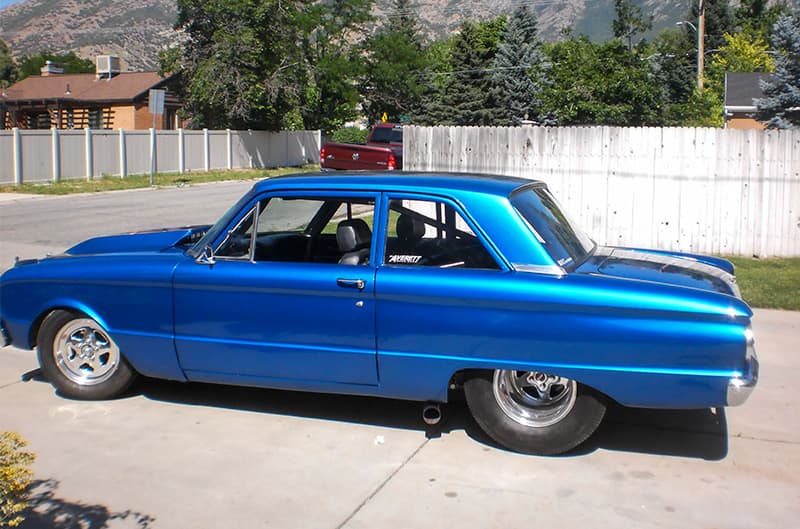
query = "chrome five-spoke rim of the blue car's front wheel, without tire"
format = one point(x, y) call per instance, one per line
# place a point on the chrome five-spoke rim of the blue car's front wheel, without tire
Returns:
point(84, 353)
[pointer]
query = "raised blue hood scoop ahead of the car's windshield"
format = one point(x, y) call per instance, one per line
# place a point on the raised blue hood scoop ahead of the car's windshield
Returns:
point(177, 239)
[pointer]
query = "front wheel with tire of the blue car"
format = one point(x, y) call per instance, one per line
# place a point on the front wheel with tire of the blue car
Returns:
point(80, 358)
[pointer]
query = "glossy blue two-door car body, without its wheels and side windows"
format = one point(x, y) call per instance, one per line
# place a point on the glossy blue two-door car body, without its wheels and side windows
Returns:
point(644, 327)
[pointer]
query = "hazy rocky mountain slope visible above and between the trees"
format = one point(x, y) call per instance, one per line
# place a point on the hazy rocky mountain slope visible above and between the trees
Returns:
point(136, 30)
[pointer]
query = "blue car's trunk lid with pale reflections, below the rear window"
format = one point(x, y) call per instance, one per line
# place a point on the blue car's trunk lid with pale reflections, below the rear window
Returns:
point(686, 270)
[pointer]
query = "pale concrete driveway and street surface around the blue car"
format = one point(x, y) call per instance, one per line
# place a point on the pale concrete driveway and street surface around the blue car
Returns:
point(172, 456)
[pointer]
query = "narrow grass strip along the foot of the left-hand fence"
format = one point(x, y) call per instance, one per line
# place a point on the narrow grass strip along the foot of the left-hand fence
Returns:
point(112, 183)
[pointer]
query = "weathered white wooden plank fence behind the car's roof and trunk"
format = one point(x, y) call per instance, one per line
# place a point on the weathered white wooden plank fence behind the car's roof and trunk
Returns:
point(727, 192)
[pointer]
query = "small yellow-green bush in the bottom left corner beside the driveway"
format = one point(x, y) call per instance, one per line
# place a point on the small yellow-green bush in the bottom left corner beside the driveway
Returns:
point(15, 478)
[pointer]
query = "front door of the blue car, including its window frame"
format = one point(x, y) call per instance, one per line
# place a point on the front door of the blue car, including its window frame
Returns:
point(276, 304)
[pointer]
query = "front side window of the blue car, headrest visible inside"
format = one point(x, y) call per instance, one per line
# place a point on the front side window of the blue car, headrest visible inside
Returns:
point(303, 229)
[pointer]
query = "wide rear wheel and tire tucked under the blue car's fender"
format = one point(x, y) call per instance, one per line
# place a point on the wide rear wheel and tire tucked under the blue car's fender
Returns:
point(533, 412)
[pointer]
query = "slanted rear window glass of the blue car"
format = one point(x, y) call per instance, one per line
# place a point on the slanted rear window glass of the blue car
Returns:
point(564, 241)
